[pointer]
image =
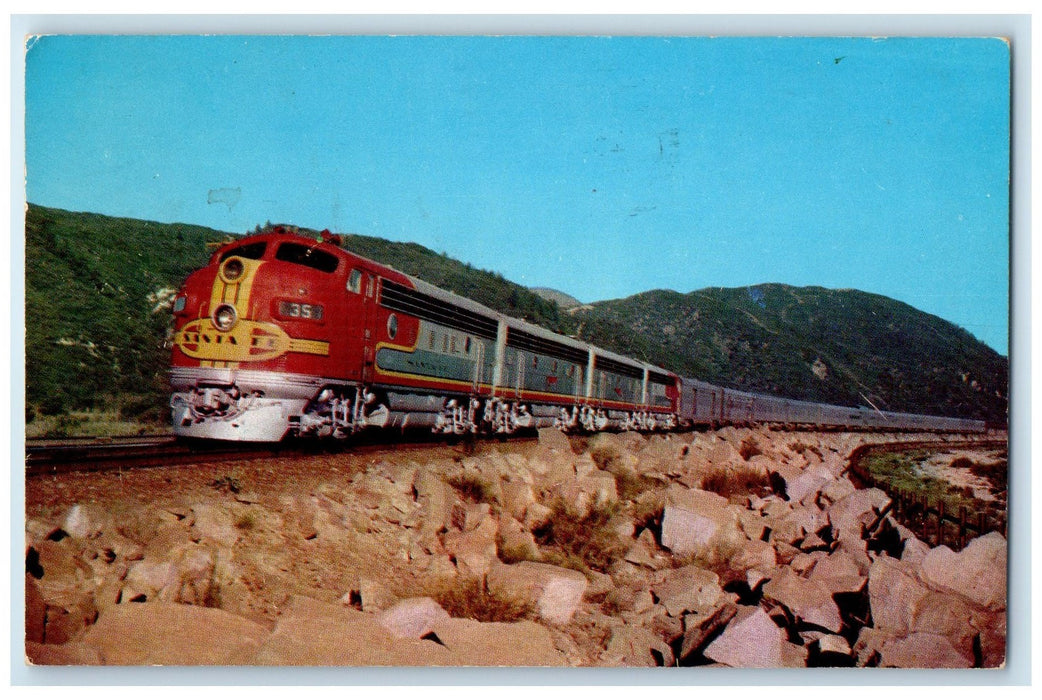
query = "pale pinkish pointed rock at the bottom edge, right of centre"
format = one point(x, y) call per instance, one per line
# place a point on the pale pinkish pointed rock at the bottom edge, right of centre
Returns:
point(752, 640)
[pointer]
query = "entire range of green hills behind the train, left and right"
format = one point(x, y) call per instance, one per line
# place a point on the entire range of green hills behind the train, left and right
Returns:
point(98, 293)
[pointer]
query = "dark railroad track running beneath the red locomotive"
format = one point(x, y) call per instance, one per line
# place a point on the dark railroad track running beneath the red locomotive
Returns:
point(97, 455)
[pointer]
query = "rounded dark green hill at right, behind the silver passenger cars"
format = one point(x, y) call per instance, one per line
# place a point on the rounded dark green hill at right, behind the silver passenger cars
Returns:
point(845, 347)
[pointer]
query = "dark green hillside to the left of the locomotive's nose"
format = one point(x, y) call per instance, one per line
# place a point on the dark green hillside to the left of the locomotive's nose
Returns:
point(97, 301)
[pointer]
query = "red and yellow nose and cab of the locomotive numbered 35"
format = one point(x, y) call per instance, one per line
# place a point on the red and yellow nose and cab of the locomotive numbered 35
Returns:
point(268, 327)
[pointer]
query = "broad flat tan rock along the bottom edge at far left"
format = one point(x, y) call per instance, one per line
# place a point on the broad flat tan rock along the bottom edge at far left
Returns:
point(168, 634)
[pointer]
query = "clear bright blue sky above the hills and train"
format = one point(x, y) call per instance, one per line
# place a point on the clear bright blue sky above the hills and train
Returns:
point(601, 167)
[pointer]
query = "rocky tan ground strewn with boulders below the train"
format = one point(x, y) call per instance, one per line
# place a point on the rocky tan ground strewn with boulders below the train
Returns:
point(738, 547)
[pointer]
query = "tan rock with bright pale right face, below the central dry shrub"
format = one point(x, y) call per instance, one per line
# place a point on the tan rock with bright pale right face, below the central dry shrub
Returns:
point(556, 593)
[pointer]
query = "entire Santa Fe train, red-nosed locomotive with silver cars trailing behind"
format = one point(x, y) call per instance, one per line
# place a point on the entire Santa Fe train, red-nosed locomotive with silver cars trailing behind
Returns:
point(287, 334)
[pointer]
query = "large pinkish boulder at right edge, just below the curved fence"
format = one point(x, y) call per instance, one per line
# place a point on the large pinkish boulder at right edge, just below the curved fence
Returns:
point(978, 572)
